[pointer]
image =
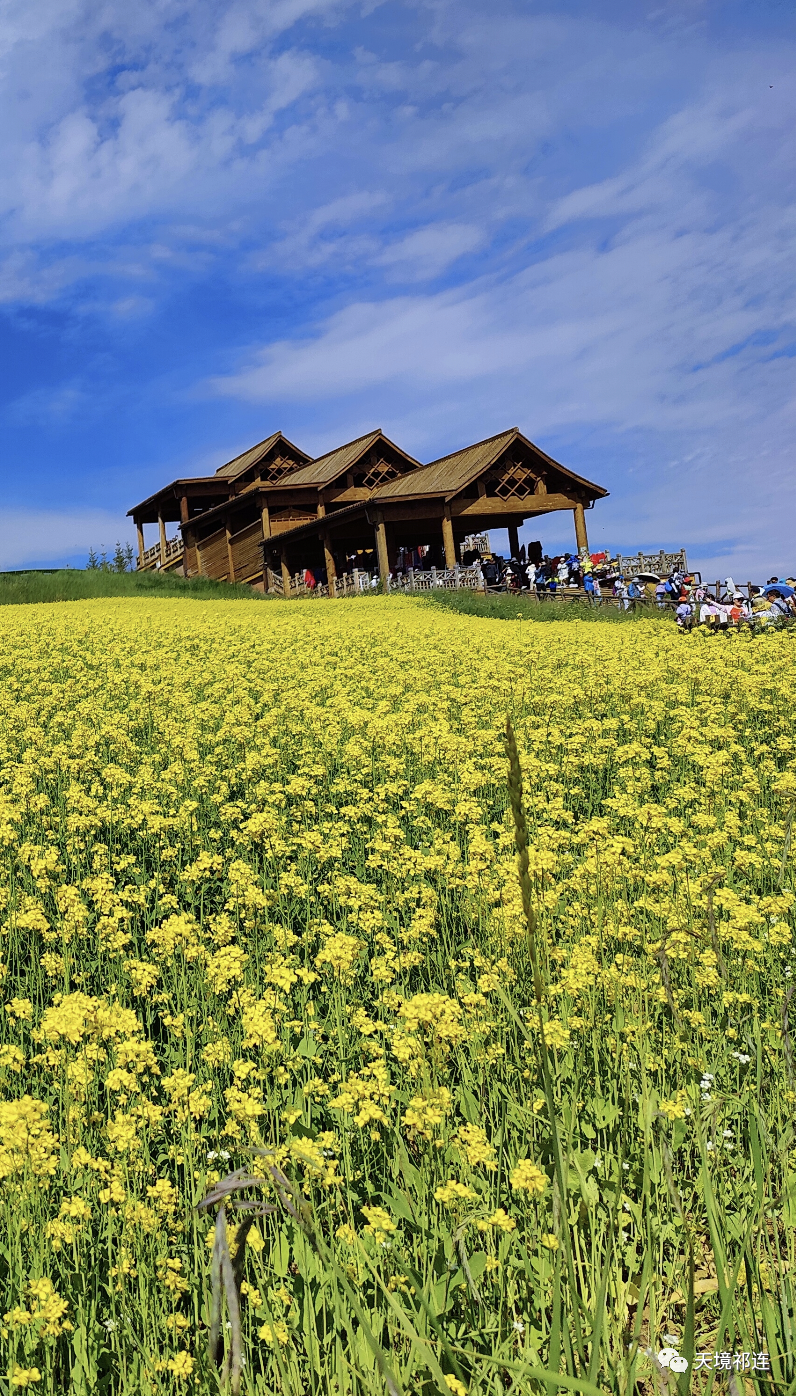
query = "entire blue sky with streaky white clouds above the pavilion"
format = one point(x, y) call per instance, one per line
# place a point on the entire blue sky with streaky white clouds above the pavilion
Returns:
point(442, 218)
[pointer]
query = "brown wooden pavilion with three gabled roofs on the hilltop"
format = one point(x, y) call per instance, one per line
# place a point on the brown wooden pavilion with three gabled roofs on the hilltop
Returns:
point(273, 512)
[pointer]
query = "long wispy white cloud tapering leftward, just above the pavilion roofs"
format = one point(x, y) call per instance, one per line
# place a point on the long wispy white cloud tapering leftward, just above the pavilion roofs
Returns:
point(569, 336)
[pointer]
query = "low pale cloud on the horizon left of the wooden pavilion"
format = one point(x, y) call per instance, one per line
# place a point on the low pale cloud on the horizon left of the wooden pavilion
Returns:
point(48, 535)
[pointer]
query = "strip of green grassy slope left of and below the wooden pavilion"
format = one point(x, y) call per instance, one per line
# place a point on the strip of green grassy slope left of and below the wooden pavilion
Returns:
point(20, 588)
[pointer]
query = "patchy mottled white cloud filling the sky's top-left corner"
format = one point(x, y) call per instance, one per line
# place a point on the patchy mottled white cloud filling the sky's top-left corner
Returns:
point(118, 114)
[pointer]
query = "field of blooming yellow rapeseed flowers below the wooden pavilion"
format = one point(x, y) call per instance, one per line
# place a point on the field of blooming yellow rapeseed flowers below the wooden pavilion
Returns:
point(260, 890)
